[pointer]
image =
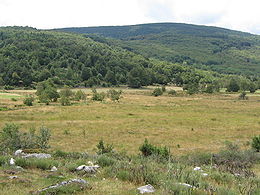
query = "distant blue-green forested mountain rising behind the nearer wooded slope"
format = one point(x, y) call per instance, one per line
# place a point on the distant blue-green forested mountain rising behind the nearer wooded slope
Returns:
point(205, 47)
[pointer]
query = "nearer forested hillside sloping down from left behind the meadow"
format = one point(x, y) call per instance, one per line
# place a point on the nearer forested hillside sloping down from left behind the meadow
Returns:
point(29, 56)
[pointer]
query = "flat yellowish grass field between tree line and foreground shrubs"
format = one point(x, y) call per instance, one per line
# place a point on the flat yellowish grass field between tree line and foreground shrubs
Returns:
point(194, 123)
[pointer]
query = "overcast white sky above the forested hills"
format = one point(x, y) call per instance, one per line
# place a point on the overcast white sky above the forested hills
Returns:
point(241, 15)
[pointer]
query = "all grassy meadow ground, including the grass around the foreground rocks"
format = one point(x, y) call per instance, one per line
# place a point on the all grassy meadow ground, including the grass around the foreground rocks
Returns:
point(187, 124)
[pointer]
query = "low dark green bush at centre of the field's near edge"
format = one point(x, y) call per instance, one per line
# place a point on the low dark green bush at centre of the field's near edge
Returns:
point(148, 149)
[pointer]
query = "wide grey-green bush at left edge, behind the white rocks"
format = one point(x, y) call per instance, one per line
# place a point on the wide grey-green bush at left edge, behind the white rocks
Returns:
point(12, 139)
